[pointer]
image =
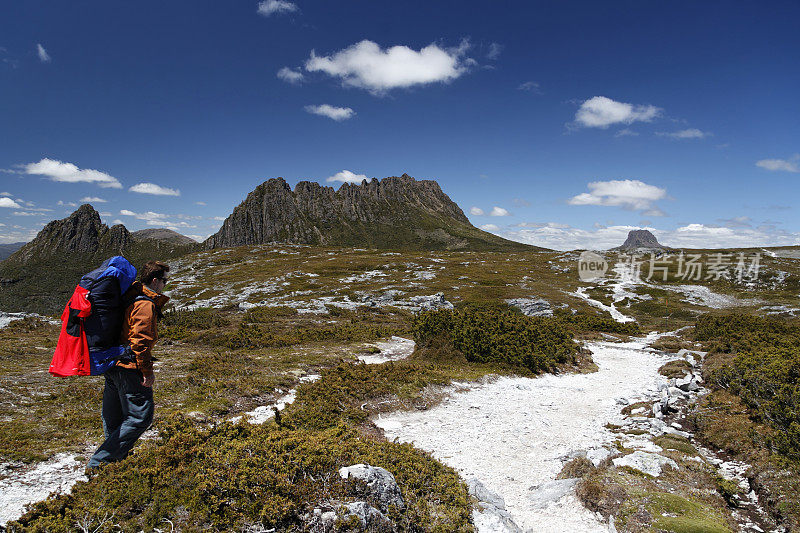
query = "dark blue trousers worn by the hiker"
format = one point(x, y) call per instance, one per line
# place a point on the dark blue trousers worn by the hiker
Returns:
point(127, 413)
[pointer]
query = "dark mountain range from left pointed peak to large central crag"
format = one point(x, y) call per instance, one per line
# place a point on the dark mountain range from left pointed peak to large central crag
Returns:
point(393, 213)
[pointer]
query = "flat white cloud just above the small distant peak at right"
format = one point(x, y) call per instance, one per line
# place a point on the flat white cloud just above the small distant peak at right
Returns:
point(629, 194)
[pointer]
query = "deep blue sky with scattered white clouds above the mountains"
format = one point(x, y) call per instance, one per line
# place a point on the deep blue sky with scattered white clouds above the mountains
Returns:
point(562, 124)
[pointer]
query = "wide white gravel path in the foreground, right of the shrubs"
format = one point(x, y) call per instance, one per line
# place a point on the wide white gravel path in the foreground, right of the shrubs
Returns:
point(514, 434)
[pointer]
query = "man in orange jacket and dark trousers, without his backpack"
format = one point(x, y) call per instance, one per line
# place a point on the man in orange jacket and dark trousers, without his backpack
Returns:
point(128, 393)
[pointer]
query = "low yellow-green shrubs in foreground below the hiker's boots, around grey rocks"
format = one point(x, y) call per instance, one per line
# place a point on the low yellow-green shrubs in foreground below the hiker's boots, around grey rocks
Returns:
point(231, 476)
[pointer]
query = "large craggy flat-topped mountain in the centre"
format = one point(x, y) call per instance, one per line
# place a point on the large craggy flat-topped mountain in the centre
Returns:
point(395, 212)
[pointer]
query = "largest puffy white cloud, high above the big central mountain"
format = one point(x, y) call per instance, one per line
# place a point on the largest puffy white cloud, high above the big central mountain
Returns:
point(367, 66)
